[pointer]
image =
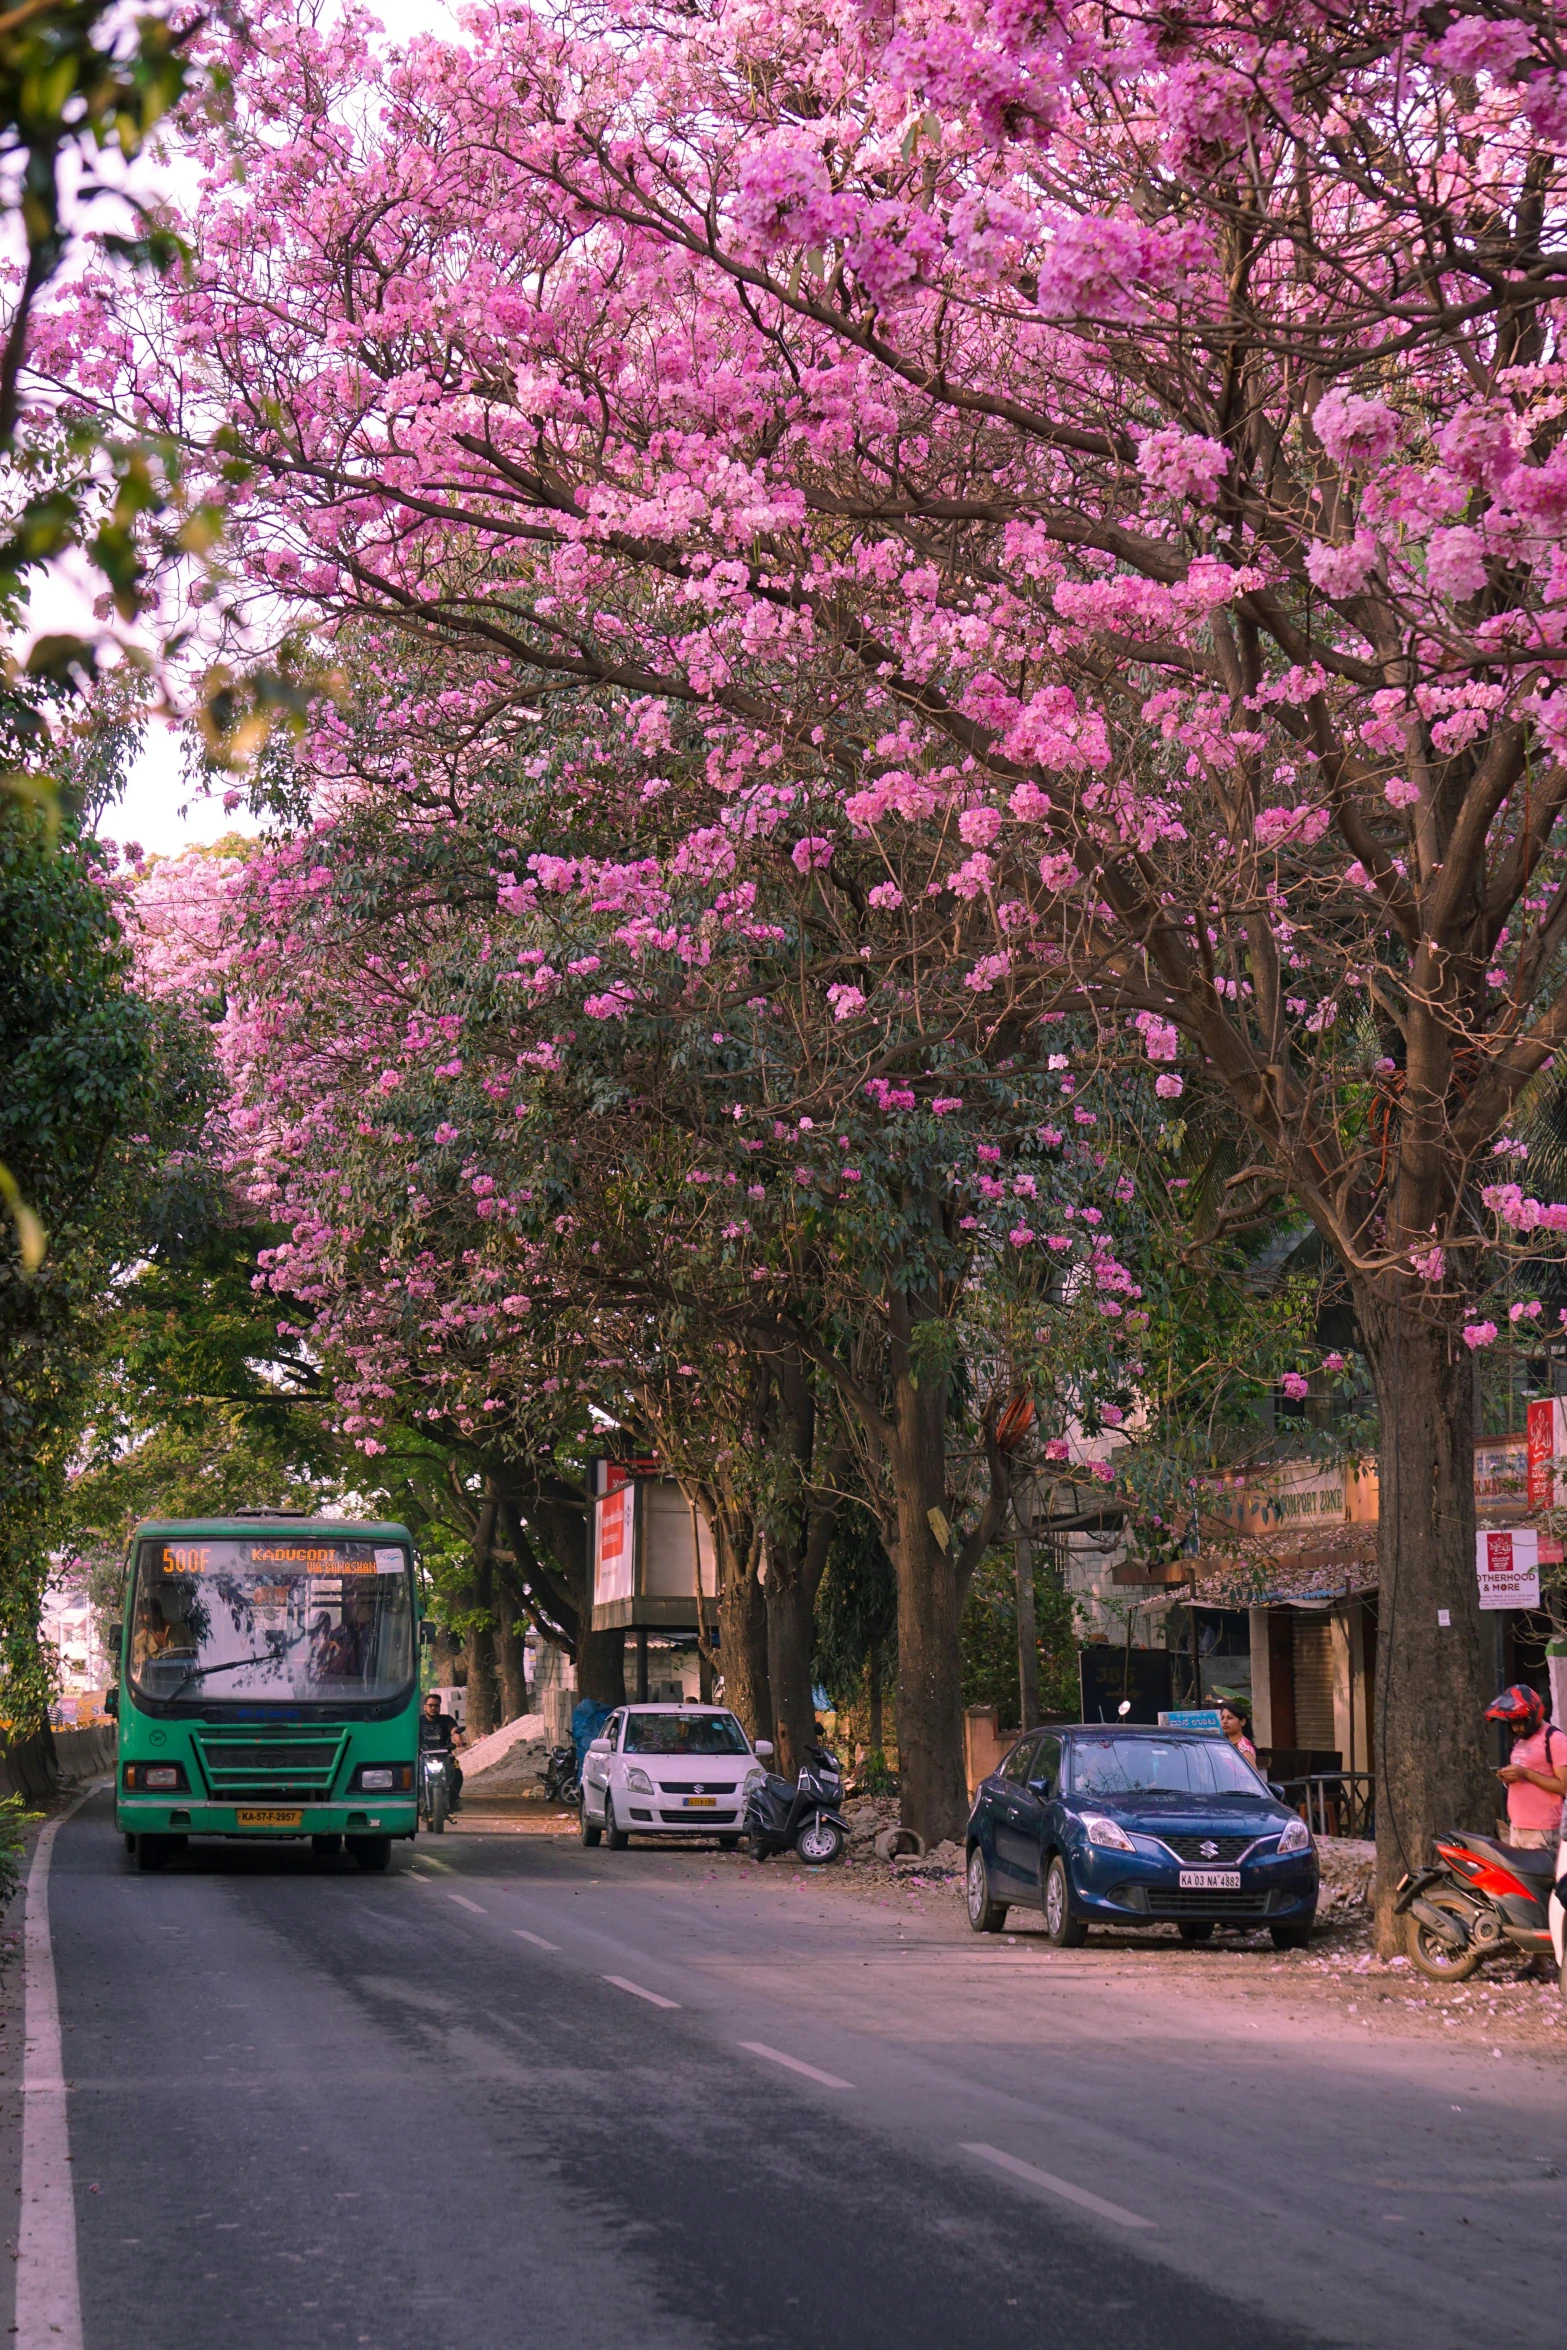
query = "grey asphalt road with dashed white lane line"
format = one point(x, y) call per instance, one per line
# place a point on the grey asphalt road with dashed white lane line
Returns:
point(523, 2095)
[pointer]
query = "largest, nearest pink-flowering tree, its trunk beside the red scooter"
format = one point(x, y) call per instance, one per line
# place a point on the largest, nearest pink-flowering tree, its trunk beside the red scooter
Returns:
point(1117, 455)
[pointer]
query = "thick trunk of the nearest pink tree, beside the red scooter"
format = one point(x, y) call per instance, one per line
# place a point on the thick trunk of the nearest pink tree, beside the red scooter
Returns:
point(1432, 1665)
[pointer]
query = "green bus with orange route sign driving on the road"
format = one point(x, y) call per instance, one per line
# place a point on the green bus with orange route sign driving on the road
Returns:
point(269, 1686)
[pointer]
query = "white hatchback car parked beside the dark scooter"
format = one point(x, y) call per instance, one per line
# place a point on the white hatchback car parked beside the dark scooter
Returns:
point(668, 1771)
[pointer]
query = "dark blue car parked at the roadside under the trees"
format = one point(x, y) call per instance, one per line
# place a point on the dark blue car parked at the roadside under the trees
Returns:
point(1117, 1825)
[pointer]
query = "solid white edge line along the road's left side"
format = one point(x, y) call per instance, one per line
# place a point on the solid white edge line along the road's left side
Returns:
point(48, 2290)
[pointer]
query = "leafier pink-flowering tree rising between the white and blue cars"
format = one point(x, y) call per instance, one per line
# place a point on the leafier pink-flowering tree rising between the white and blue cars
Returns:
point(570, 1087)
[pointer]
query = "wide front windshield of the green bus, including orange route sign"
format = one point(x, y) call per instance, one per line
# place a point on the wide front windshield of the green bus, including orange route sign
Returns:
point(288, 1618)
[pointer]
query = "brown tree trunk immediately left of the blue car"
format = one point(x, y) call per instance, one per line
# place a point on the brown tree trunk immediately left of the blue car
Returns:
point(929, 1684)
